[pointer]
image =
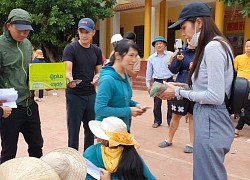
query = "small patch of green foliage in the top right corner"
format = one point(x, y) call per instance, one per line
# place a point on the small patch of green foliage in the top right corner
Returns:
point(245, 4)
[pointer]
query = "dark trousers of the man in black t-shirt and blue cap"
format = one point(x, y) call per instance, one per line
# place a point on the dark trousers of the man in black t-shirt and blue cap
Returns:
point(80, 109)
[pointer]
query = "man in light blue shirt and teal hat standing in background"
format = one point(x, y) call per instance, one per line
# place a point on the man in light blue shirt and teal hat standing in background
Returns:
point(157, 68)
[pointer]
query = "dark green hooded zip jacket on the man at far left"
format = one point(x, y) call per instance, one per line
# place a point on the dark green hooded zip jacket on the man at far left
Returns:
point(14, 64)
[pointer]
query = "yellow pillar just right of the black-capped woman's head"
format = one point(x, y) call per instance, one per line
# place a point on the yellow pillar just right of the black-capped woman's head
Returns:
point(219, 14)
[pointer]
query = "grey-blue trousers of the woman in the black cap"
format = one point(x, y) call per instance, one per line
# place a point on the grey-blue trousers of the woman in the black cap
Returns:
point(213, 136)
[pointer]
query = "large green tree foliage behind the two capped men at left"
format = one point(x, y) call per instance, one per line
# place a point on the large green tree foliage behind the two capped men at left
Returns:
point(55, 21)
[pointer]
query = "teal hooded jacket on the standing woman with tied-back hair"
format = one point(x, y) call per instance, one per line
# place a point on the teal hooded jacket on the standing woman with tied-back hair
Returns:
point(114, 96)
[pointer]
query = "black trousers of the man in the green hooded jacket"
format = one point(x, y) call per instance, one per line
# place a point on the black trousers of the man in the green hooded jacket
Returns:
point(27, 121)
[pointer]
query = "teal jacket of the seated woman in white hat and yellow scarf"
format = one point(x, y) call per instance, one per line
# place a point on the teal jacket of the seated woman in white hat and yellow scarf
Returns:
point(94, 154)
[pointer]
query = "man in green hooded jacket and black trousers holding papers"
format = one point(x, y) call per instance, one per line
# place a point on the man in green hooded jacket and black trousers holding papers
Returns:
point(15, 56)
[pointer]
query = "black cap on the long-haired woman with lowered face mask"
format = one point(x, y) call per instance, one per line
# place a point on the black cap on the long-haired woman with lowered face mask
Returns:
point(195, 9)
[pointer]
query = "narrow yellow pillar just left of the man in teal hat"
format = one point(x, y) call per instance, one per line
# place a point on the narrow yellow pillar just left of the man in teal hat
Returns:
point(147, 28)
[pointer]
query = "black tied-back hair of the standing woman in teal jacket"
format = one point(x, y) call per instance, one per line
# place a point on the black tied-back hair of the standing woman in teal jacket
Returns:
point(122, 48)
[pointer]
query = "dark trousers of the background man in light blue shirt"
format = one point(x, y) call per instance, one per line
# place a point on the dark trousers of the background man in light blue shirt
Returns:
point(158, 103)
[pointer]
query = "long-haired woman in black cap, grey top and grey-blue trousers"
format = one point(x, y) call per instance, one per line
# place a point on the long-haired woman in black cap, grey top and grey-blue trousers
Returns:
point(210, 78)
